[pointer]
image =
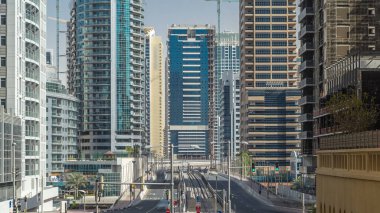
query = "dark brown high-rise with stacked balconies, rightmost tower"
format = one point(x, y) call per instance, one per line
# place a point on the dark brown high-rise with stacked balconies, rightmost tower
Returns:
point(329, 31)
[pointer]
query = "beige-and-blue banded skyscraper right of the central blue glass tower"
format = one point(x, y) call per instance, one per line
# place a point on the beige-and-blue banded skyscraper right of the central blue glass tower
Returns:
point(269, 93)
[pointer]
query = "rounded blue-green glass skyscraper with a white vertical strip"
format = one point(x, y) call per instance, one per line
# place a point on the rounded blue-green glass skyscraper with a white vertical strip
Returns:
point(111, 92)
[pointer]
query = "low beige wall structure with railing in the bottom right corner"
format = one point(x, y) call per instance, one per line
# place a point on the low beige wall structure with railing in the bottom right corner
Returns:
point(348, 179)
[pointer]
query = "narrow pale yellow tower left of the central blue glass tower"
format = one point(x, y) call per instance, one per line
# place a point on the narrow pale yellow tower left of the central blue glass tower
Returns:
point(156, 104)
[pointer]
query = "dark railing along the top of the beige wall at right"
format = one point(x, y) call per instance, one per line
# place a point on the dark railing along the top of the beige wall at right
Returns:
point(360, 140)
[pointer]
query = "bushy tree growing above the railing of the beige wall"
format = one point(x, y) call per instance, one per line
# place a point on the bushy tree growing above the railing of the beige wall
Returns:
point(353, 114)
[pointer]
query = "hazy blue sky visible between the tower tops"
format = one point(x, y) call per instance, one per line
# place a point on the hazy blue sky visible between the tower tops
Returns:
point(159, 14)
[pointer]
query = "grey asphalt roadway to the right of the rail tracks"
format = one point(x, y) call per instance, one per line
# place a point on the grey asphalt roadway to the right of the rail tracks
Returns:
point(243, 202)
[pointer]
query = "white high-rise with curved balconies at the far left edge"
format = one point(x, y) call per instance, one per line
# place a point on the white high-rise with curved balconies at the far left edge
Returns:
point(22, 92)
